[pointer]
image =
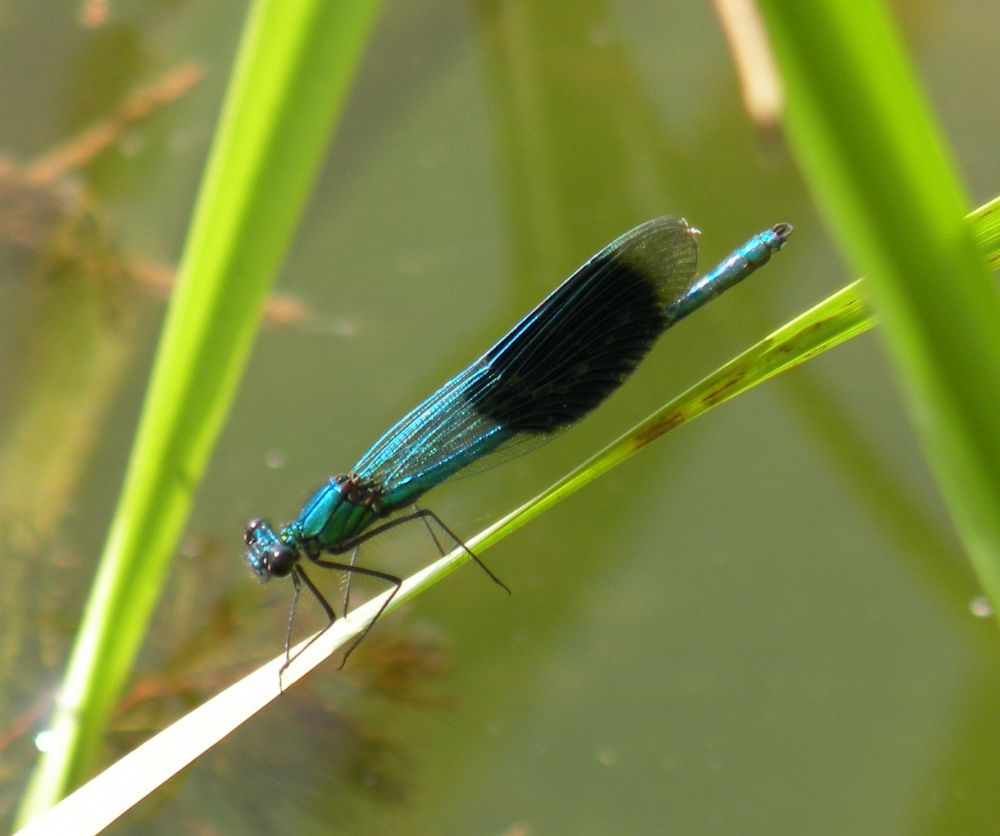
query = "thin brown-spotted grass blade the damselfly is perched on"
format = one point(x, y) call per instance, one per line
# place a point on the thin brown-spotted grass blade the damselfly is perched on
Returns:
point(120, 787)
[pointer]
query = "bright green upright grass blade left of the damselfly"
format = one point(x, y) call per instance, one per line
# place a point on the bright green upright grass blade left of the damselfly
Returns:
point(294, 68)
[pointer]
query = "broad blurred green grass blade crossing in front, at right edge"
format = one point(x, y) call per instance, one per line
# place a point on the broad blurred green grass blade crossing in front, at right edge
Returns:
point(881, 174)
